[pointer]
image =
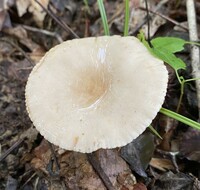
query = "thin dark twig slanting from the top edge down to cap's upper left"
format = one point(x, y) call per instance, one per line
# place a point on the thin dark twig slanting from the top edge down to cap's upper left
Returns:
point(60, 22)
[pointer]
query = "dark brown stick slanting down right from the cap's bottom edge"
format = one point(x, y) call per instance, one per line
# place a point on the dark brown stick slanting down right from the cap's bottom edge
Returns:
point(100, 172)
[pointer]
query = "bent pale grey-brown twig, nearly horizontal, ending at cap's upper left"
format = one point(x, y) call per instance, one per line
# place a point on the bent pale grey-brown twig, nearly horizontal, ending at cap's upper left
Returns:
point(46, 32)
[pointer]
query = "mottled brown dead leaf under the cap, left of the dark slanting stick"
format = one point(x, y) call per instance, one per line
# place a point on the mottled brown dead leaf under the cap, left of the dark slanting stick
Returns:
point(78, 173)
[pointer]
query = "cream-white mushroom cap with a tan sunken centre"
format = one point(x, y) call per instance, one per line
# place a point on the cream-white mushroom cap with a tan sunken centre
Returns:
point(98, 92)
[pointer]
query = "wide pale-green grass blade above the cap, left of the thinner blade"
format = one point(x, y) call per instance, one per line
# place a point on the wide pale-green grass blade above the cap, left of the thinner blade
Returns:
point(103, 17)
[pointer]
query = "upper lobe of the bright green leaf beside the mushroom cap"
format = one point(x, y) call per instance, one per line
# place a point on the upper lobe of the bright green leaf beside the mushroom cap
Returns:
point(171, 44)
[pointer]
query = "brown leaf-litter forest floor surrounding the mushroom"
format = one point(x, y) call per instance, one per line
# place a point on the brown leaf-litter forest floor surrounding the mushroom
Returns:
point(28, 161)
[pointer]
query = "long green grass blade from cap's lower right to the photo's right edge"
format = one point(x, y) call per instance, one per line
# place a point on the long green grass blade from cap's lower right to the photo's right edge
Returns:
point(180, 118)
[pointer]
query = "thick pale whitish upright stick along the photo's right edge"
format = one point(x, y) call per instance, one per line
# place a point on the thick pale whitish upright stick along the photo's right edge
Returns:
point(195, 56)
